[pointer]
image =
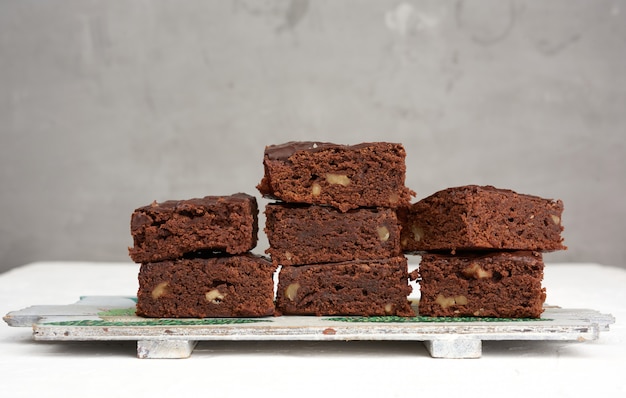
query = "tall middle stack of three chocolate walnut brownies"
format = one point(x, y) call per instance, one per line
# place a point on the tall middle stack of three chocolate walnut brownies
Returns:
point(334, 228)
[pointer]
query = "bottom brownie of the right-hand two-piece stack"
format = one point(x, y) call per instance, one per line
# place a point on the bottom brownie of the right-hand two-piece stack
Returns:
point(500, 284)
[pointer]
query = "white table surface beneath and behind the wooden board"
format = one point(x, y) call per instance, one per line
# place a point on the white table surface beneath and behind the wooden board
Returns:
point(306, 369)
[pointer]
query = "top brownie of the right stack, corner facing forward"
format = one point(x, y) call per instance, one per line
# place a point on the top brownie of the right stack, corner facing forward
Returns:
point(482, 217)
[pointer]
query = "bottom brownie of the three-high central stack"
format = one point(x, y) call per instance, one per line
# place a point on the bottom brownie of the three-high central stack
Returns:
point(366, 288)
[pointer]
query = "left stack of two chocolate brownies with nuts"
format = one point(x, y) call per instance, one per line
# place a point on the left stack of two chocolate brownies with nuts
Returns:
point(196, 262)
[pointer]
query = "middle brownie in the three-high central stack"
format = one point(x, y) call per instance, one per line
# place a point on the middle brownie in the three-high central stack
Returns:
point(307, 234)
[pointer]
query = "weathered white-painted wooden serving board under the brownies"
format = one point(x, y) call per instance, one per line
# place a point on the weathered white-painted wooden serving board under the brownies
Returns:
point(113, 318)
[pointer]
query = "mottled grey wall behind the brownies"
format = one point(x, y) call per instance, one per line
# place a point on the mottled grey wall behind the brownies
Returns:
point(108, 105)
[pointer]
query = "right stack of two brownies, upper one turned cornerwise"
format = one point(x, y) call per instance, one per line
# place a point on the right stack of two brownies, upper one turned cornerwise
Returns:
point(481, 250)
